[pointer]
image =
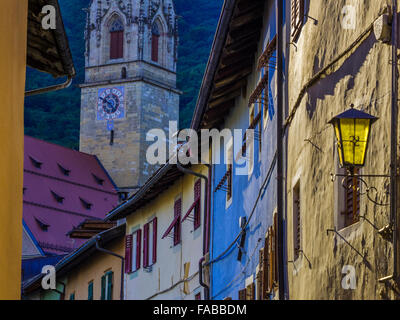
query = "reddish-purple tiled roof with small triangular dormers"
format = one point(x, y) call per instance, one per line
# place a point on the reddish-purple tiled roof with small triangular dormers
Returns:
point(54, 198)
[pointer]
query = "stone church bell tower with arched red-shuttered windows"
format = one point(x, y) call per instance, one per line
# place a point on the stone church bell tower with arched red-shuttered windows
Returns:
point(130, 84)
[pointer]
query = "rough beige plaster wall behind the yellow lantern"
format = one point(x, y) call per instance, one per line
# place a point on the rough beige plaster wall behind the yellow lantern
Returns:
point(363, 78)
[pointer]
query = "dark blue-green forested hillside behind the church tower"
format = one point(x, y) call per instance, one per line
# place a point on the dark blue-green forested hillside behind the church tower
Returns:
point(55, 116)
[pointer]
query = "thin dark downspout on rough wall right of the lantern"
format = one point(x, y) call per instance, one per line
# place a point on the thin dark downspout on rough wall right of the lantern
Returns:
point(393, 161)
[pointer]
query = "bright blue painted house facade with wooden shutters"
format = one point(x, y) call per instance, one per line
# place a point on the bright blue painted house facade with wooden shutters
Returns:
point(253, 195)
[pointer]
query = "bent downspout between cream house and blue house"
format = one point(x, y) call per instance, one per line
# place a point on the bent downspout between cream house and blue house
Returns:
point(206, 226)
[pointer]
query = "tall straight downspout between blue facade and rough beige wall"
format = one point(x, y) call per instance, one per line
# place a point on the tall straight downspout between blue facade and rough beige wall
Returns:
point(279, 137)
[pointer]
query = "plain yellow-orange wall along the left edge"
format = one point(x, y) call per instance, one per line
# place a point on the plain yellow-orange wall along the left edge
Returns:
point(13, 29)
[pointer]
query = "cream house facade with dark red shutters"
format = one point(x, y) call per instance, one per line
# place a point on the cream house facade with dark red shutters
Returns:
point(163, 281)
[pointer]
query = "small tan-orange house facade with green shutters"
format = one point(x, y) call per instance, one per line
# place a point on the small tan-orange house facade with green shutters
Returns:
point(92, 269)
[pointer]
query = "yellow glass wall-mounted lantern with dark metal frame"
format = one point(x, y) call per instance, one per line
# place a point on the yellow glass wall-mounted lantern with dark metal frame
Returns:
point(352, 129)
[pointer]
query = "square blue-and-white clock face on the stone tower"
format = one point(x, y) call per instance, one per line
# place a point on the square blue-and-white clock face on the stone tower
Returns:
point(110, 103)
